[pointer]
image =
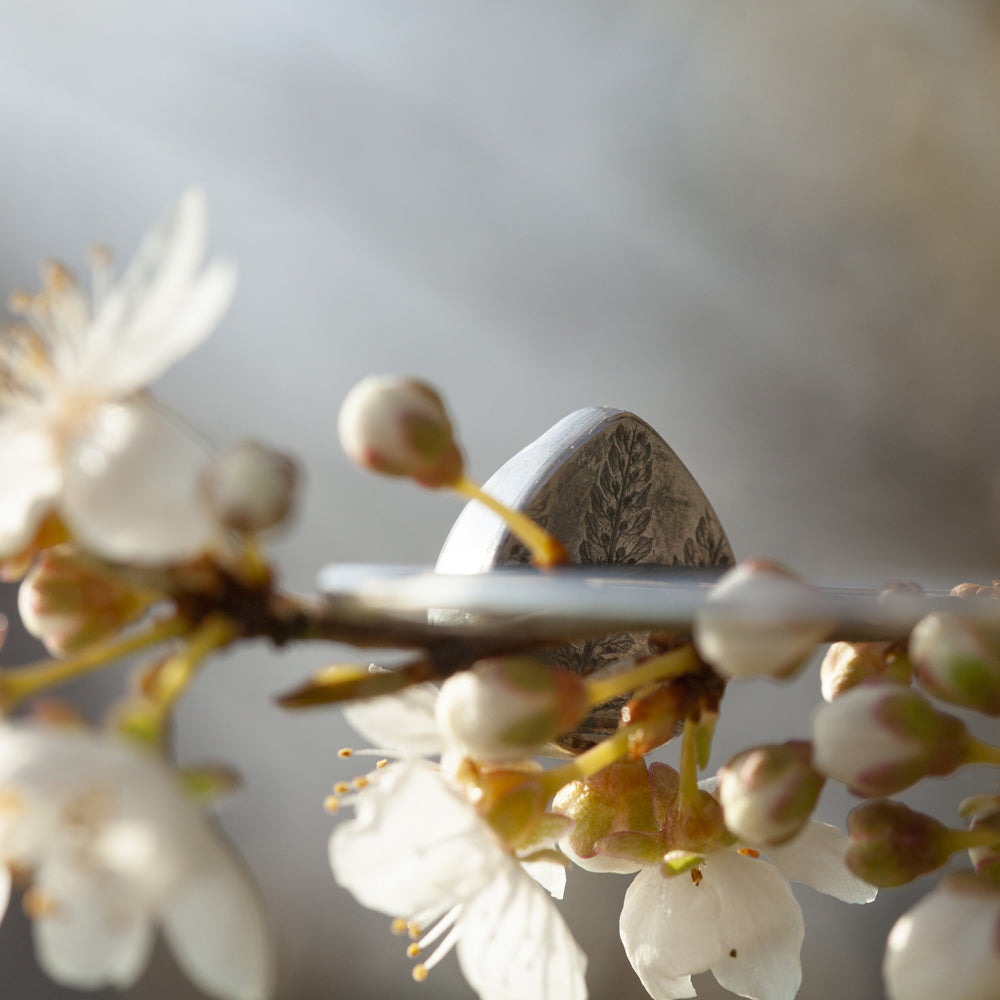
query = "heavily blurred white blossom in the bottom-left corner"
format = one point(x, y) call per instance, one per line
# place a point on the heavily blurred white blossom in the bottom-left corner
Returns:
point(114, 848)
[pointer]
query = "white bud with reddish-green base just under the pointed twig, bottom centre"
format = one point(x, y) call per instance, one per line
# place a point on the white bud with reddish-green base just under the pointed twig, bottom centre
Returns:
point(509, 707)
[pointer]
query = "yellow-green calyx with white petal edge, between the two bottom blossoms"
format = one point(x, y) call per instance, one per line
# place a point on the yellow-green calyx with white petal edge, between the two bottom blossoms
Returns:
point(616, 800)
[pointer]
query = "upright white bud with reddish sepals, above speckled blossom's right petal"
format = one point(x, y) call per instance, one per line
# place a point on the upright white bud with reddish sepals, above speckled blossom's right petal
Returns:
point(768, 793)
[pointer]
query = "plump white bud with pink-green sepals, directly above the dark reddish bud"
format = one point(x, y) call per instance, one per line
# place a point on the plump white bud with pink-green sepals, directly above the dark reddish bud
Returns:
point(880, 738)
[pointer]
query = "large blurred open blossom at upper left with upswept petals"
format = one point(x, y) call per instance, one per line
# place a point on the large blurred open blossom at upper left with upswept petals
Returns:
point(76, 435)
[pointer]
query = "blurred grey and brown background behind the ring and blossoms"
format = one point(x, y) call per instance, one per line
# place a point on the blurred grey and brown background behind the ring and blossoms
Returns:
point(771, 229)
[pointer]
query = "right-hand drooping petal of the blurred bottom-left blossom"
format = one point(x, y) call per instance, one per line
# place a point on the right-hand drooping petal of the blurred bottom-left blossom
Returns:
point(216, 929)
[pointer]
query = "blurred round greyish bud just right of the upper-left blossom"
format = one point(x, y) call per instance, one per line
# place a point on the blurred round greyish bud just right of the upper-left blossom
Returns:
point(250, 487)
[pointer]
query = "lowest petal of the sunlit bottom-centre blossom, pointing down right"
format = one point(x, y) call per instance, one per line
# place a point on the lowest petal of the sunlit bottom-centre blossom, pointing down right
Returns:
point(515, 945)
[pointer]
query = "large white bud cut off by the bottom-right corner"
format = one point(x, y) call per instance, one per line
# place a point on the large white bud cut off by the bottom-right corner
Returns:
point(948, 945)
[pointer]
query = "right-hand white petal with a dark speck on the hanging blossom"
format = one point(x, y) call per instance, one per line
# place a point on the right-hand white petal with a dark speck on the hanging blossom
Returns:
point(760, 928)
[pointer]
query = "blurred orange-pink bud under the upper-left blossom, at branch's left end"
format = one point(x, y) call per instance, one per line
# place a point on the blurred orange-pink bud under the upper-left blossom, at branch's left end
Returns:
point(70, 600)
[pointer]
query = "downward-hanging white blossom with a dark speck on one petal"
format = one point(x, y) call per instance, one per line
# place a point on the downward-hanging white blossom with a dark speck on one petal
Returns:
point(739, 919)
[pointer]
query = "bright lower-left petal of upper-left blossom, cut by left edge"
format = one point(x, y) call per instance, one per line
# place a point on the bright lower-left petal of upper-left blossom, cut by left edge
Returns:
point(32, 480)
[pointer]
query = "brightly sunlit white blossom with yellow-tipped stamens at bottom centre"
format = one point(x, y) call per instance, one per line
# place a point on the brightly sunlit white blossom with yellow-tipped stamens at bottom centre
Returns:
point(418, 850)
